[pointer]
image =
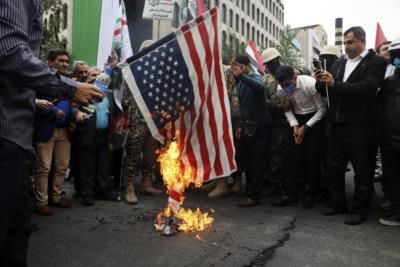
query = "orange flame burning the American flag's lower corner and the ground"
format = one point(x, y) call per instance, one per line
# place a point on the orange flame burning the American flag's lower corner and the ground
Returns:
point(174, 179)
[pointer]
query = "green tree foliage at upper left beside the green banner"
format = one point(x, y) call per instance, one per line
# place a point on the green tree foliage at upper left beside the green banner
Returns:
point(53, 11)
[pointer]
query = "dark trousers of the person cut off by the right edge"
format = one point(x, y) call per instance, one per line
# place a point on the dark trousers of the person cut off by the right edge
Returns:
point(391, 177)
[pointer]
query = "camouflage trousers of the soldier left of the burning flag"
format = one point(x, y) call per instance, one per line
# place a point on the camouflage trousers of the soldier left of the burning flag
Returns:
point(140, 152)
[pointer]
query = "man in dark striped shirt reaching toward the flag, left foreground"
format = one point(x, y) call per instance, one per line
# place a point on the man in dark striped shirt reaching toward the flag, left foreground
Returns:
point(22, 75)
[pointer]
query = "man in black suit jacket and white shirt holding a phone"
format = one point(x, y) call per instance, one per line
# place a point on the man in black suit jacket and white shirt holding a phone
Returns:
point(351, 86)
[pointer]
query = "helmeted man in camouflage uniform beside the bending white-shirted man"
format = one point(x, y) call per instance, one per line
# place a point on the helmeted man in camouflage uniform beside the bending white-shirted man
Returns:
point(281, 131)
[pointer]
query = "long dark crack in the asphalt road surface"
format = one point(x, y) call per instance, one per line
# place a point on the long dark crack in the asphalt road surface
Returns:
point(268, 253)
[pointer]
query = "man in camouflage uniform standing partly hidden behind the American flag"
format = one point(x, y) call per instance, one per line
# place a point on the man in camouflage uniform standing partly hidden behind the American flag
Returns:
point(139, 140)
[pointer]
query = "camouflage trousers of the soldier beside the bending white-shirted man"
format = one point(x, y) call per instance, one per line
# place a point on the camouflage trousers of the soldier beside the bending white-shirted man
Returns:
point(278, 154)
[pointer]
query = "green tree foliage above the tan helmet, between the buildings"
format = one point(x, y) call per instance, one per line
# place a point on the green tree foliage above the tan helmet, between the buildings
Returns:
point(289, 53)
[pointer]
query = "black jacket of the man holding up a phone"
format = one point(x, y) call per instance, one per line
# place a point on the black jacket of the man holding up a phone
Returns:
point(353, 102)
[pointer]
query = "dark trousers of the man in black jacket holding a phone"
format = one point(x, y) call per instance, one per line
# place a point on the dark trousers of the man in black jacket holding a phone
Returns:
point(355, 144)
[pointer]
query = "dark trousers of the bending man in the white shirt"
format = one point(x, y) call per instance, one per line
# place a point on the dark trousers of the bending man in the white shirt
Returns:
point(304, 159)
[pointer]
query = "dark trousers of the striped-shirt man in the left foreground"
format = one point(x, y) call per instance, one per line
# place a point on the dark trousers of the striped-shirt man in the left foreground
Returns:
point(15, 206)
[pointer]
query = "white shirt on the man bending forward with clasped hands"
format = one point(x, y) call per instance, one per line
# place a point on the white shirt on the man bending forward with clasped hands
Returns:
point(305, 99)
